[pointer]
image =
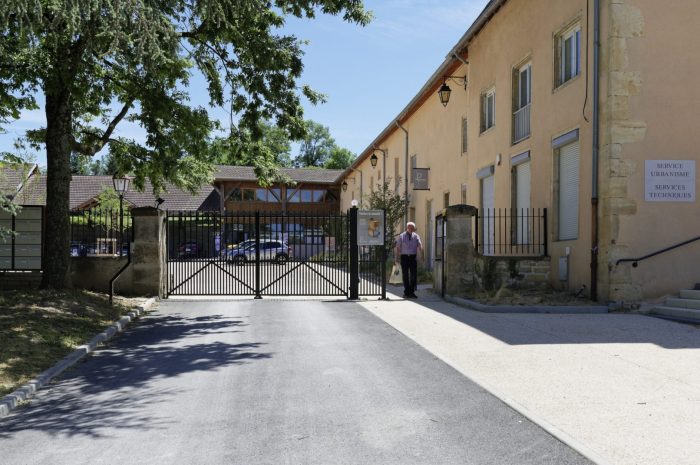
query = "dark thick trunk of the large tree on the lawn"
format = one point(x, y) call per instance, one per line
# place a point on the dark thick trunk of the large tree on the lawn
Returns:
point(58, 149)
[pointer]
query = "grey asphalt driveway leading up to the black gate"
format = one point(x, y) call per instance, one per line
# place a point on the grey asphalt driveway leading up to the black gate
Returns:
point(270, 382)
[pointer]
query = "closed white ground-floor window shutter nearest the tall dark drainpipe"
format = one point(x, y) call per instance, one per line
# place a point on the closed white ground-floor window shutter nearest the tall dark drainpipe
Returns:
point(568, 191)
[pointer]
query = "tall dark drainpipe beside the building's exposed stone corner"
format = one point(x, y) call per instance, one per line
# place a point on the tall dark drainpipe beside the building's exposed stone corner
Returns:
point(596, 142)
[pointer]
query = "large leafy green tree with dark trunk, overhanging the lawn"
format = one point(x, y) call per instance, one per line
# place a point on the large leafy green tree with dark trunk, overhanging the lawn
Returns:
point(101, 62)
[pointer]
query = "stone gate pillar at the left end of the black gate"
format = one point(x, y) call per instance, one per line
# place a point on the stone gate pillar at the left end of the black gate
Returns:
point(148, 254)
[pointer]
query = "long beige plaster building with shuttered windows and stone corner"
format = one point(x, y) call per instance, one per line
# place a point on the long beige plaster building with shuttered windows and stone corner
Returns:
point(538, 117)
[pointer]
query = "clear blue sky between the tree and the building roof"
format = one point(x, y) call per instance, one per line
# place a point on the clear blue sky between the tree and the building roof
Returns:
point(368, 74)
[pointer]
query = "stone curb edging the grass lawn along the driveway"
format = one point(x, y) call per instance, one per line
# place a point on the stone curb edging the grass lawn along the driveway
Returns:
point(26, 392)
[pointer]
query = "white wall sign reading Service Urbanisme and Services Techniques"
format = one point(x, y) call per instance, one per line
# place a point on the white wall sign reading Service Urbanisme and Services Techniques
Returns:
point(669, 180)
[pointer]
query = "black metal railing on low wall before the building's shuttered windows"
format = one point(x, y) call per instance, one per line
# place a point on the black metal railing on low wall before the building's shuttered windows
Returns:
point(511, 232)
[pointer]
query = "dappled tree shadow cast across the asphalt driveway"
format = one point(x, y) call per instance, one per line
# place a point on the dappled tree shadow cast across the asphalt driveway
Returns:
point(117, 387)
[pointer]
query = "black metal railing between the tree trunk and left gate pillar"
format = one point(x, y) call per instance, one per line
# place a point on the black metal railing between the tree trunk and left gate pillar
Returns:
point(100, 232)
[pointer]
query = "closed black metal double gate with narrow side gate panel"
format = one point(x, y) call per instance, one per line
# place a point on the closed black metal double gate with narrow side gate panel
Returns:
point(268, 254)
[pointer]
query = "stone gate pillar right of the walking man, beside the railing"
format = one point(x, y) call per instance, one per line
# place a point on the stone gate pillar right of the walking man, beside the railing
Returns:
point(457, 273)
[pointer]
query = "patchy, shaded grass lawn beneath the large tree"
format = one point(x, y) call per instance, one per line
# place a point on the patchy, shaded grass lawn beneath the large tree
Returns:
point(38, 328)
